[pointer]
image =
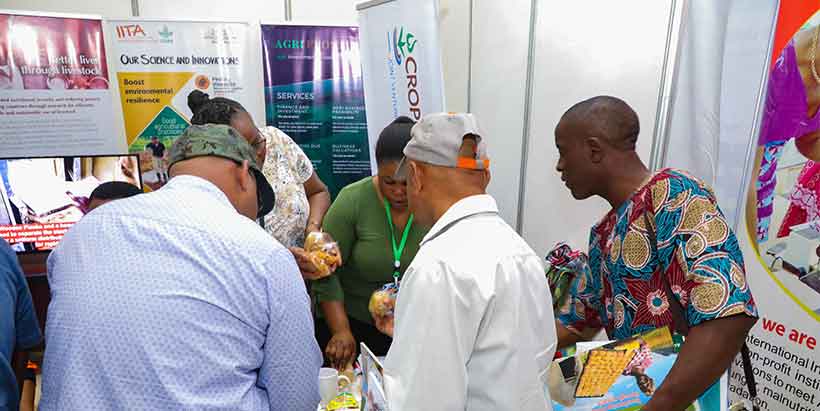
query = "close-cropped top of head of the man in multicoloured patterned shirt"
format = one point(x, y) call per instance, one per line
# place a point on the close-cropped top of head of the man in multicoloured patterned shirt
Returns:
point(606, 117)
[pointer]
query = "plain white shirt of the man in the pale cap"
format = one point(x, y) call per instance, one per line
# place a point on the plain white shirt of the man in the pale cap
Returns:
point(474, 327)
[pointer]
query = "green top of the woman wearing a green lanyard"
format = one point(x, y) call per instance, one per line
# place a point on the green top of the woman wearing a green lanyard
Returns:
point(358, 223)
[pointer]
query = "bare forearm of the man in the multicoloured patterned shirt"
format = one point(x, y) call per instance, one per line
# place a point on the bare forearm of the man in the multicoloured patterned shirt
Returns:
point(708, 351)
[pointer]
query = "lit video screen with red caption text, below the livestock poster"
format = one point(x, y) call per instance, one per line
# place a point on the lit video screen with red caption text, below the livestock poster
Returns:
point(42, 197)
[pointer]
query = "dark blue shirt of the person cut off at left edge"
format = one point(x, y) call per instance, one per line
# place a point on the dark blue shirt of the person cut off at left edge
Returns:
point(18, 322)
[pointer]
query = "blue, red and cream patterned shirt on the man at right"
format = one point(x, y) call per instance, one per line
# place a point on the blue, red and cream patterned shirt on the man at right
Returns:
point(696, 250)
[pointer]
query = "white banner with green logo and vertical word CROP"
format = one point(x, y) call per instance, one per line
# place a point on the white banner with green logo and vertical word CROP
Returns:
point(401, 61)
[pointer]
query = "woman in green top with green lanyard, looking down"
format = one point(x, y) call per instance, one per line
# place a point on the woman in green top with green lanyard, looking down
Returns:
point(360, 220)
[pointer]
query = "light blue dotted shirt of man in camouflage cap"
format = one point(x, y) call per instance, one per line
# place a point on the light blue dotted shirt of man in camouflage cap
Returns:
point(172, 300)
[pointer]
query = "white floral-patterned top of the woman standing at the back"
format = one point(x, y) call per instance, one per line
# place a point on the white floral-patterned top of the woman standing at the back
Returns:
point(287, 168)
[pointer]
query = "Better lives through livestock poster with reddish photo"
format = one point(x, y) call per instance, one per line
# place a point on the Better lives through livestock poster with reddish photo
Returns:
point(54, 87)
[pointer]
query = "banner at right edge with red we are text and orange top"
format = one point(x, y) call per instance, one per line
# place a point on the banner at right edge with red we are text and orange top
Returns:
point(782, 247)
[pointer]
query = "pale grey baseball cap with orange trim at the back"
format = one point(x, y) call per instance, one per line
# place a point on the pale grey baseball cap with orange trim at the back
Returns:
point(437, 139)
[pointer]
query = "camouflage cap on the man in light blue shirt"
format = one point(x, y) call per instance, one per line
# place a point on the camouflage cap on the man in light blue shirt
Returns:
point(223, 141)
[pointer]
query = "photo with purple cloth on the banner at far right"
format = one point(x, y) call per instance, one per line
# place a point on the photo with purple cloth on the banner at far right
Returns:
point(786, 219)
